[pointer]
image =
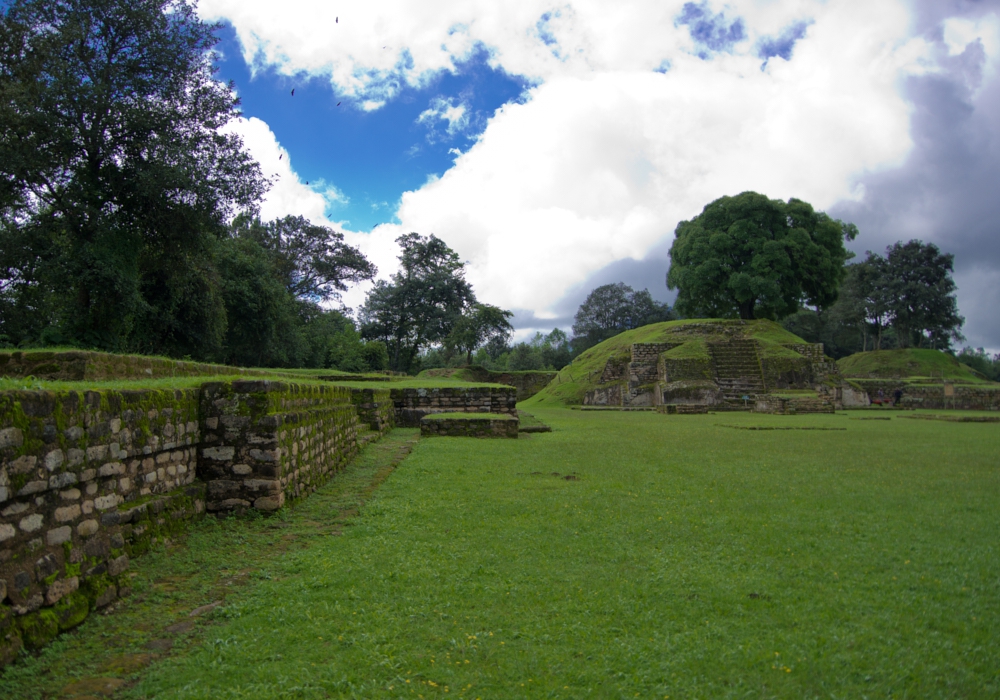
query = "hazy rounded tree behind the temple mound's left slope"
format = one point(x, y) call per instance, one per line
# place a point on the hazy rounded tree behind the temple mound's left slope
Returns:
point(612, 309)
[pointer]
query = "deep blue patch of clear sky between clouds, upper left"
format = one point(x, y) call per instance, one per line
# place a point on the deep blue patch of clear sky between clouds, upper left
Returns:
point(374, 156)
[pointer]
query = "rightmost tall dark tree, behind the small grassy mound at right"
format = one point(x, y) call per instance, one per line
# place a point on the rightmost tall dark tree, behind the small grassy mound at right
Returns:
point(921, 294)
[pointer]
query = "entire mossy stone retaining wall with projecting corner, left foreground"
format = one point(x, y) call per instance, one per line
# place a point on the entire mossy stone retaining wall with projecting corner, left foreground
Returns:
point(89, 480)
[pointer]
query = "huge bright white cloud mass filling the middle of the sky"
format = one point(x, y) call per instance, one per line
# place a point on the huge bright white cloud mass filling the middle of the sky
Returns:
point(607, 155)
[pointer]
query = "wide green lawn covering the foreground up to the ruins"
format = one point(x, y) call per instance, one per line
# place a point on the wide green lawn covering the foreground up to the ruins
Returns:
point(681, 558)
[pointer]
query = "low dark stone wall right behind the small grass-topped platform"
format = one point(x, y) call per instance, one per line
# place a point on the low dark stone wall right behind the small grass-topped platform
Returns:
point(413, 404)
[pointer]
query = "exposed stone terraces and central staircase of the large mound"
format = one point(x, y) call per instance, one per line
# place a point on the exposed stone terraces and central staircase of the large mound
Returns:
point(720, 366)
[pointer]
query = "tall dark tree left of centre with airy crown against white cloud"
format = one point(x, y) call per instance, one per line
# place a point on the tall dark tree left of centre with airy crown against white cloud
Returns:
point(421, 303)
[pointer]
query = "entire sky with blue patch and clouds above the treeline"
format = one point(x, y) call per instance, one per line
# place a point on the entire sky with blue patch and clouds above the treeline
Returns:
point(556, 144)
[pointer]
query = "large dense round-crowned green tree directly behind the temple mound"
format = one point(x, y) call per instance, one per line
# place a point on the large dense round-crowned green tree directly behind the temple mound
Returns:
point(754, 257)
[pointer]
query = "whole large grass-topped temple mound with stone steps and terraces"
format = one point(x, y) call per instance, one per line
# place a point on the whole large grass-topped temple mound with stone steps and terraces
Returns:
point(722, 364)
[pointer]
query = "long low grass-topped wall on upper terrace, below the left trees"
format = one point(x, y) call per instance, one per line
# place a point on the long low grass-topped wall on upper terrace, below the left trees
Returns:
point(78, 365)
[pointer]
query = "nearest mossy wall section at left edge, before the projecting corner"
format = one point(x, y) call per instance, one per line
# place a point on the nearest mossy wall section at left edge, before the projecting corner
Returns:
point(87, 480)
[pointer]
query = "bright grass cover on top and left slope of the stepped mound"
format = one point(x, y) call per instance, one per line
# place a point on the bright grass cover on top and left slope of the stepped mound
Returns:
point(574, 381)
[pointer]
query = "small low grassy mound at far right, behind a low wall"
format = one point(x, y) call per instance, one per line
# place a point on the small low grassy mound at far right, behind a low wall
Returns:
point(910, 363)
